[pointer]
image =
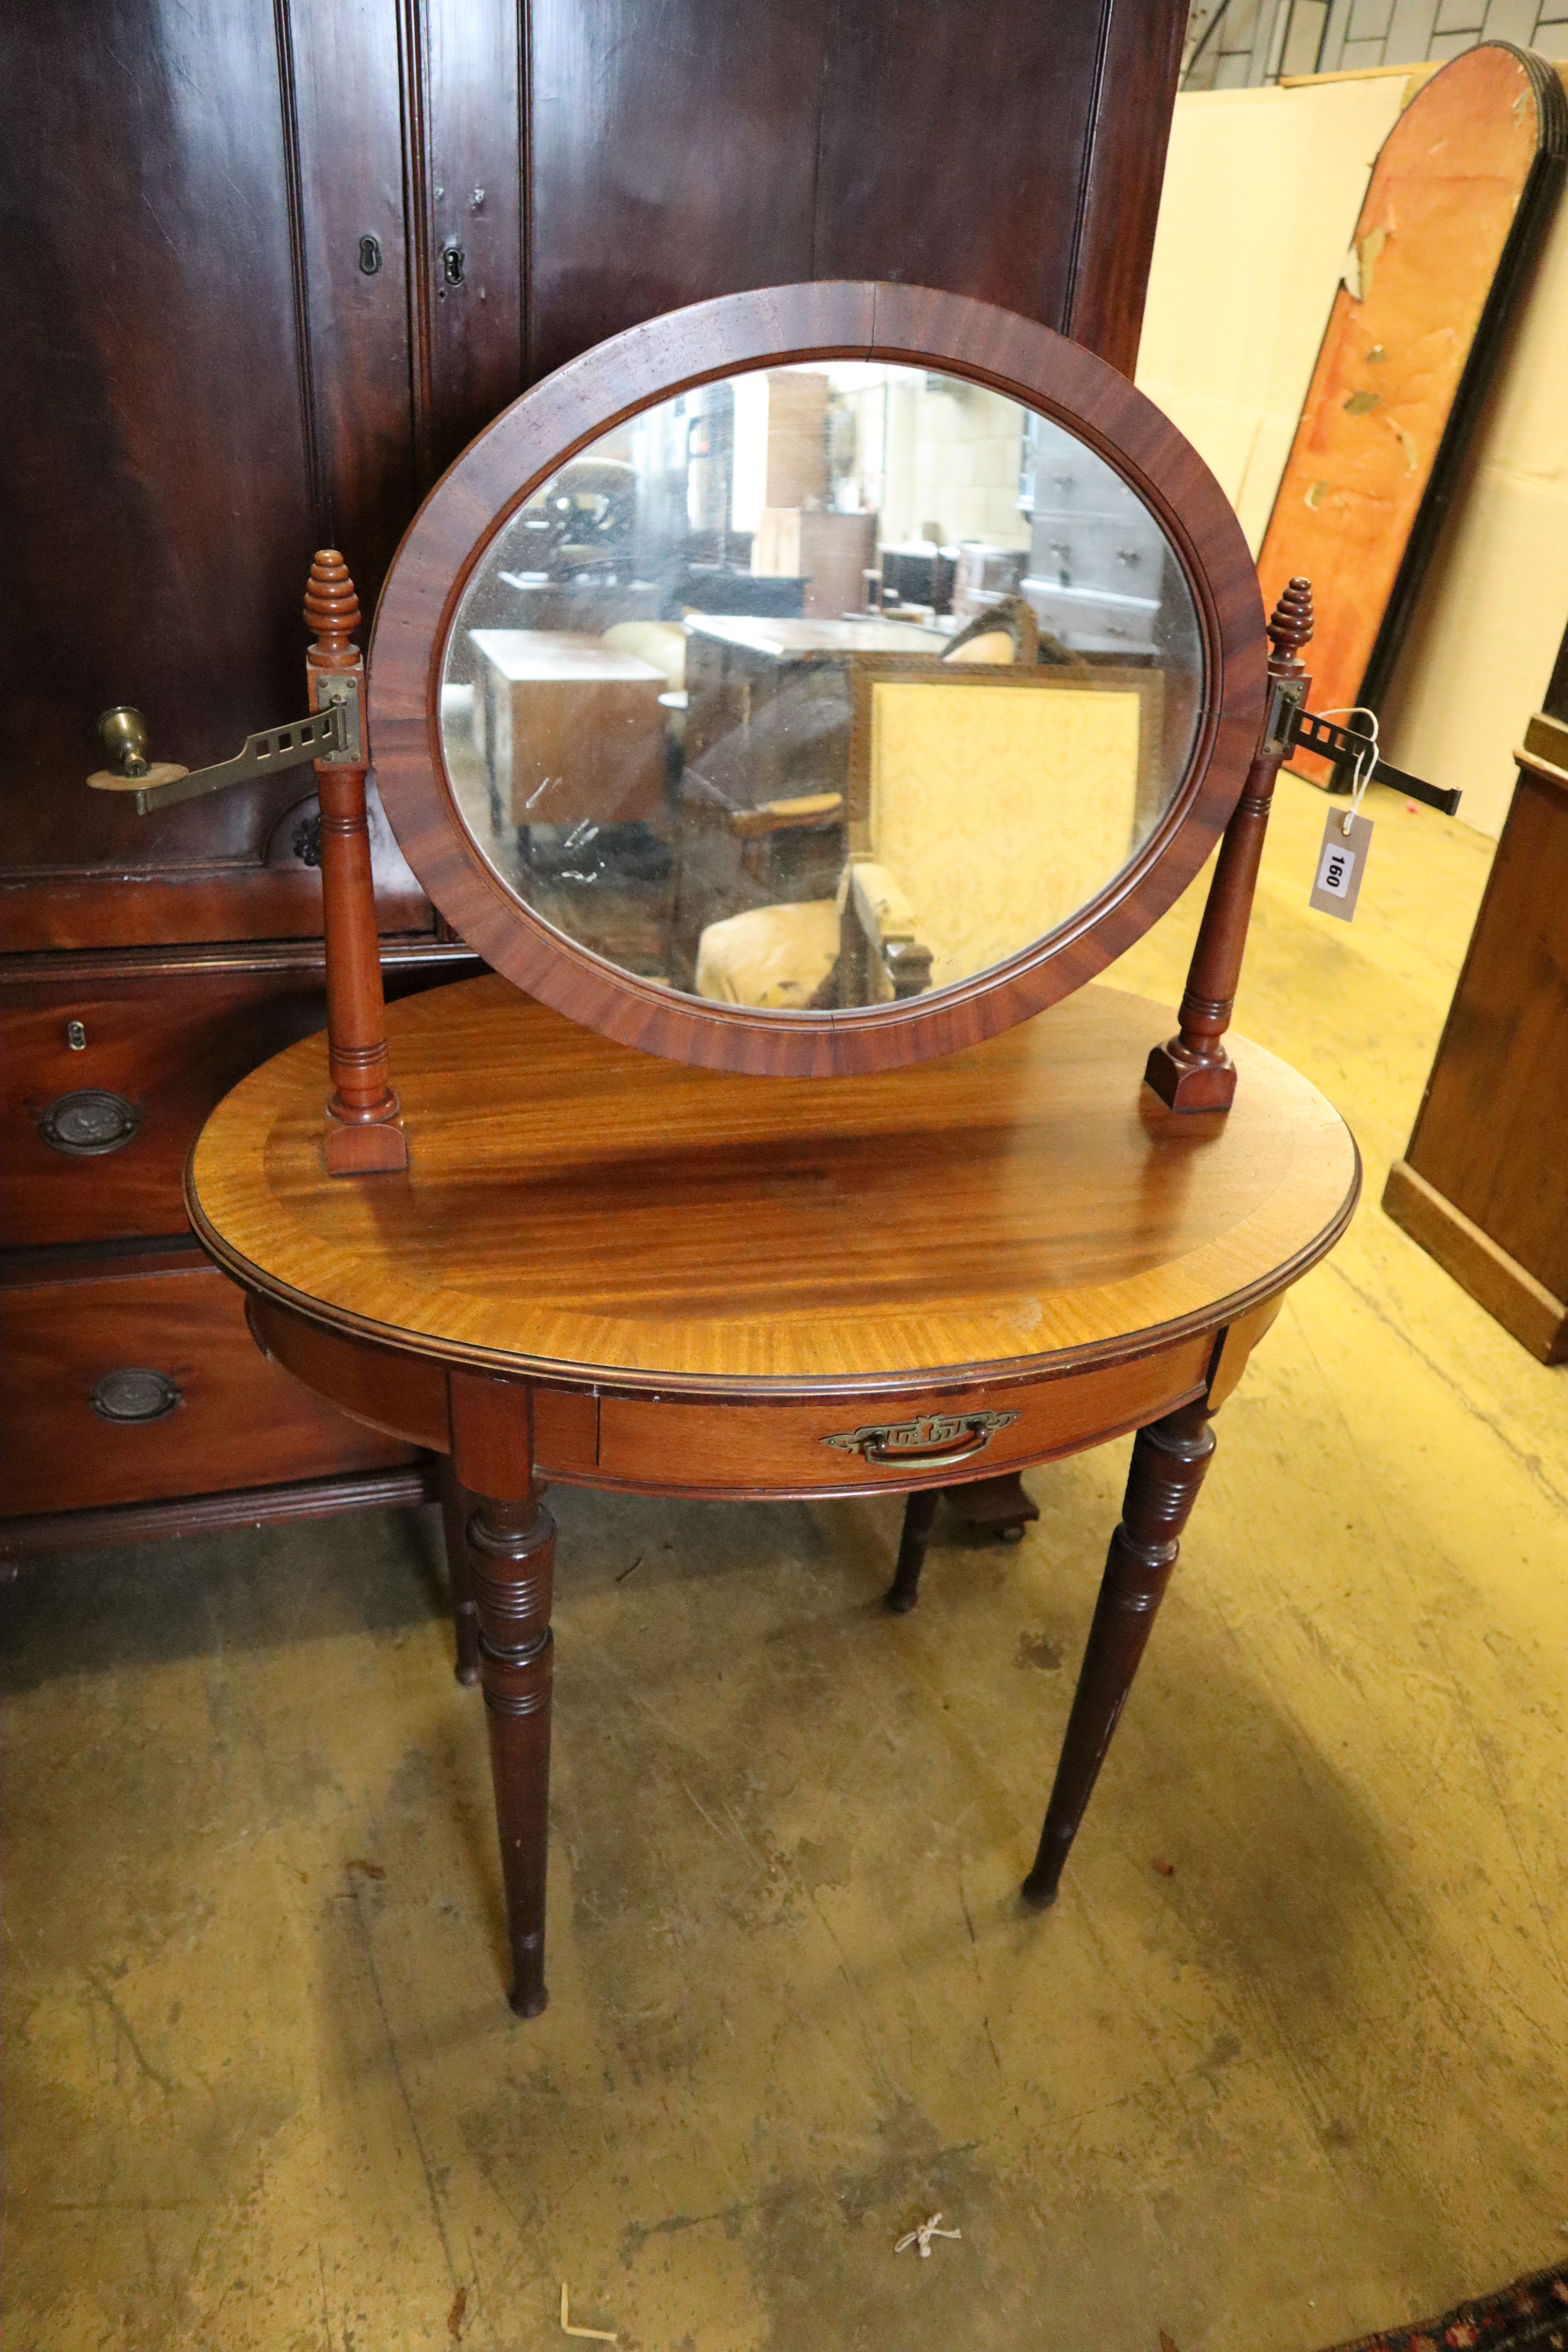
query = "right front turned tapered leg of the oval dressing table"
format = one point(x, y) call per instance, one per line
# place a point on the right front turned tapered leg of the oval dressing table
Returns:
point(1170, 1462)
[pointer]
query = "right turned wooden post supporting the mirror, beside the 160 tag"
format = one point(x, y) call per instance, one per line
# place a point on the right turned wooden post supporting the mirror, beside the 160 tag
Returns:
point(1193, 1071)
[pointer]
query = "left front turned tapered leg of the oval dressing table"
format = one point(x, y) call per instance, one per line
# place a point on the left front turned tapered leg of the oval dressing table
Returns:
point(511, 1558)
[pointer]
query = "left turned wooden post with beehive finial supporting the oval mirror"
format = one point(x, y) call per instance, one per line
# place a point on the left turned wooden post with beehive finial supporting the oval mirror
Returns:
point(363, 1125)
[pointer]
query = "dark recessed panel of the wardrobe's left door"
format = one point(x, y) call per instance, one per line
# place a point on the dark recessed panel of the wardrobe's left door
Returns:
point(156, 450)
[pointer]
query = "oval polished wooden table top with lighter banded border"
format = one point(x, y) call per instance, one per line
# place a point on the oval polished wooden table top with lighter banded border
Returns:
point(579, 1210)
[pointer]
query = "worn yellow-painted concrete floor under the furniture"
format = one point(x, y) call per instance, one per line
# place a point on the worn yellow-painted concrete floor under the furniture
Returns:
point(264, 2090)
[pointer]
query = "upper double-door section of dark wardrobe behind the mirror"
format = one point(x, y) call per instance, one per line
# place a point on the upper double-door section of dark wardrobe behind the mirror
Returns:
point(203, 382)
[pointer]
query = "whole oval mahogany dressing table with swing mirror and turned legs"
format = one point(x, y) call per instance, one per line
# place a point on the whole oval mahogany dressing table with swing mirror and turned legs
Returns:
point(749, 1170)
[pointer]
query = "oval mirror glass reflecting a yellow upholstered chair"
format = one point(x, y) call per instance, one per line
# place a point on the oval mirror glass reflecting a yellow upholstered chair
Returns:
point(822, 686)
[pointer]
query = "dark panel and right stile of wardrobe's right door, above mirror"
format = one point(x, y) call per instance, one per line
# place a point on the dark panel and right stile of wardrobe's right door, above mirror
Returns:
point(1010, 152)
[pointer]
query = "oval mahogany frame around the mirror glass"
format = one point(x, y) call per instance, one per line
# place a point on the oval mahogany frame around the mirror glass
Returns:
point(779, 328)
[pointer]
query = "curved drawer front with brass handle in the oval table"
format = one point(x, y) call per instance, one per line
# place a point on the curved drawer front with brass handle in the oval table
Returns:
point(904, 1441)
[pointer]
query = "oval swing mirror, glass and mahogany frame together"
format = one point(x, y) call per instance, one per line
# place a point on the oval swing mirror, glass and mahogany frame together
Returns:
point(815, 681)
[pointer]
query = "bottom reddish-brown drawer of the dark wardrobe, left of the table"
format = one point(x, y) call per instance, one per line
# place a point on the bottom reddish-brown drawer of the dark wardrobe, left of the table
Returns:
point(128, 1389)
